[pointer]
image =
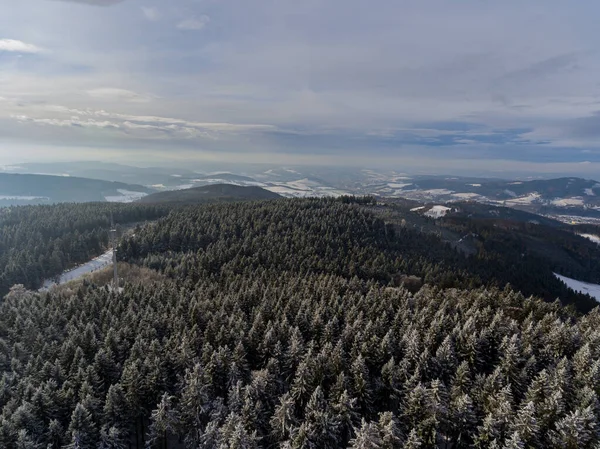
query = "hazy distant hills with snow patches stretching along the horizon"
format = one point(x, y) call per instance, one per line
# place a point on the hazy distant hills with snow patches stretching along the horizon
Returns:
point(552, 197)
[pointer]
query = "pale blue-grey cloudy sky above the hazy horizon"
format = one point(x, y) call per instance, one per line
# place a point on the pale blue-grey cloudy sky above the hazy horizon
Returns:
point(433, 85)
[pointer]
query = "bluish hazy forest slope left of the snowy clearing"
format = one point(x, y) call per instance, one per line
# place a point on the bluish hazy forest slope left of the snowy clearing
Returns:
point(40, 242)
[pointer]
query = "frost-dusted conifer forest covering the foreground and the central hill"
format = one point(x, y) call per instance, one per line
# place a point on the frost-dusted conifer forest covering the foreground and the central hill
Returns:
point(294, 324)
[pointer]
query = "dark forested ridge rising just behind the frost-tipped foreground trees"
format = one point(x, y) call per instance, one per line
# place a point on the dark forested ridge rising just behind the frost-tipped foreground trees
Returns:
point(330, 236)
